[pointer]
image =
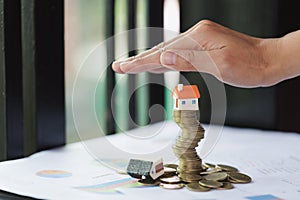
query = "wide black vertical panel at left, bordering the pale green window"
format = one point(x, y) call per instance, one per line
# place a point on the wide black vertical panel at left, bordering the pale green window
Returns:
point(43, 74)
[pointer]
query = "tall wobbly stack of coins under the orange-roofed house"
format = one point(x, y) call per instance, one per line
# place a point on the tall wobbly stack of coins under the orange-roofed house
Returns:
point(190, 164)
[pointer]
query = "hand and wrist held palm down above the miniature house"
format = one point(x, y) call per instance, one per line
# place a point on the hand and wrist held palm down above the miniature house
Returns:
point(232, 57)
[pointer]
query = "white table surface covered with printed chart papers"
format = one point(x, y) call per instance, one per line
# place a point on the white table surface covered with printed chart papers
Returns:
point(88, 170)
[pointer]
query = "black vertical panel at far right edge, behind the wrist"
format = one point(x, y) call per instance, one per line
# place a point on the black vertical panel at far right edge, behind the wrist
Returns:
point(288, 97)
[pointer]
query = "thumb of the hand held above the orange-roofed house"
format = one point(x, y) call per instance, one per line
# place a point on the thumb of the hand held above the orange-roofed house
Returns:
point(186, 60)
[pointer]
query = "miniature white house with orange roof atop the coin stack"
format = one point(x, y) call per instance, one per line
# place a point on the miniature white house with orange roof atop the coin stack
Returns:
point(186, 97)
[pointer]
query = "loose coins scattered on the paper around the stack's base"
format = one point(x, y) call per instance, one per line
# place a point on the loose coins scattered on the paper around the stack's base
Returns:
point(221, 177)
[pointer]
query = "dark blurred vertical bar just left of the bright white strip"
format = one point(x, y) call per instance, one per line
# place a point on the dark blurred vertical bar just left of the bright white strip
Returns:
point(156, 91)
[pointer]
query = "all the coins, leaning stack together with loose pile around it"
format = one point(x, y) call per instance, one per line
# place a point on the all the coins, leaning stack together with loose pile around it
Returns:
point(190, 172)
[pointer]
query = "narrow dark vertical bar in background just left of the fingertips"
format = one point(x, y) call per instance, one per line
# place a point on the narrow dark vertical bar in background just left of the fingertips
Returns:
point(110, 76)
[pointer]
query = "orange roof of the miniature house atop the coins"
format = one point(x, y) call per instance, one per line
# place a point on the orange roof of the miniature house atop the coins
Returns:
point(187, 92)
